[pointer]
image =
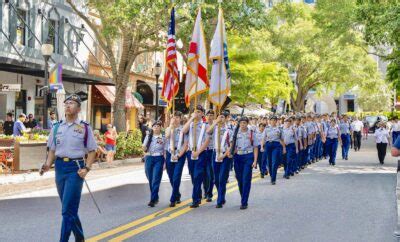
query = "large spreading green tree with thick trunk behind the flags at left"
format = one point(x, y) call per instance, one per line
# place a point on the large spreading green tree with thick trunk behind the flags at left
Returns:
point(139, 26)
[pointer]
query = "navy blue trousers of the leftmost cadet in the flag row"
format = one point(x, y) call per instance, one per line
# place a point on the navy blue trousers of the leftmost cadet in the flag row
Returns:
point(154, 168)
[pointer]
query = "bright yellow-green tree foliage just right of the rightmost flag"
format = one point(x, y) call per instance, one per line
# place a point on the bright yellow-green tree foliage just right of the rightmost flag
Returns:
point(254, 80)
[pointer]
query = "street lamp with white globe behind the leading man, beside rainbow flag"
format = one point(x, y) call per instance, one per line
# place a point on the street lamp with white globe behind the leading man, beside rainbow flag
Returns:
point(47, 50)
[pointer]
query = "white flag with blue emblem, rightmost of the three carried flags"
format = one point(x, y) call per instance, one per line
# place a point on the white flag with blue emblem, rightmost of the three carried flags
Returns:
point(220, 83)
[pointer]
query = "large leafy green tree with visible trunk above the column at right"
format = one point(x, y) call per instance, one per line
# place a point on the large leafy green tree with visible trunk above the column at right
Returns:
point(320, 61)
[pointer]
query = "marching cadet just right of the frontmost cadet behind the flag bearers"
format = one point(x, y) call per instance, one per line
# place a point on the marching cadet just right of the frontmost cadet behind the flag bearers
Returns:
point(290, 138)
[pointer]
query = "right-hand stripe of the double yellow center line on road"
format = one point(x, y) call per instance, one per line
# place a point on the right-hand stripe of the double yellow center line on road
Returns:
point(164, 219)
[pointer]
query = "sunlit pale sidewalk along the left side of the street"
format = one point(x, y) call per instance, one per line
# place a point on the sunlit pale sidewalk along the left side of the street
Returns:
point(11, 185)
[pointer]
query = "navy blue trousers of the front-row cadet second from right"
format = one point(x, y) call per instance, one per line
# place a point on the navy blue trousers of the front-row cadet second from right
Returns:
point(221, 175)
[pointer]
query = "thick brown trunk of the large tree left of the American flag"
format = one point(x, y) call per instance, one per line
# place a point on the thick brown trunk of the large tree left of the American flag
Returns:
point(119, 111)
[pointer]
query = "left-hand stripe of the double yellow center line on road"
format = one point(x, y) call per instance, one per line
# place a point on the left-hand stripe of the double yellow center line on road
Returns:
point(147, 218)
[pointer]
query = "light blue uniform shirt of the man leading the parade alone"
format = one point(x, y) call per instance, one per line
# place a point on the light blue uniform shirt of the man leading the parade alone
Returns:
point(69, 140)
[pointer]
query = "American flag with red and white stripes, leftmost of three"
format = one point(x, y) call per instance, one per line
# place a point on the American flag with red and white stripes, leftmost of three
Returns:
point(171, 79)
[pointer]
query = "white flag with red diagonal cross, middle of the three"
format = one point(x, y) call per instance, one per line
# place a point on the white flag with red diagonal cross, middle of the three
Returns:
point(196, 76)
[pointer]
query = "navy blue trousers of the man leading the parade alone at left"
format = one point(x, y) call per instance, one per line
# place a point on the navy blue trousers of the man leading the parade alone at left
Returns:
point(69, 188)
